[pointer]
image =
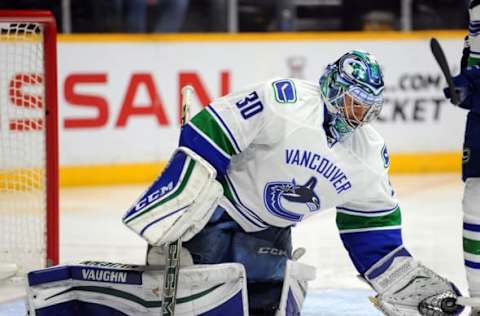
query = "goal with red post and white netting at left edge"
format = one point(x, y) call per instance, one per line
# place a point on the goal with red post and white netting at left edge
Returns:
point(28, 141)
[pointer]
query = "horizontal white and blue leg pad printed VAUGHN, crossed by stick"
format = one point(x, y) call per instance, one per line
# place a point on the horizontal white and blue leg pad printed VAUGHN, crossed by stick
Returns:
point(106, 289)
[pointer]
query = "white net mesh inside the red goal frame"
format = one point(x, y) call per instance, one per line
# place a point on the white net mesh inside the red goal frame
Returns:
point(22, 146)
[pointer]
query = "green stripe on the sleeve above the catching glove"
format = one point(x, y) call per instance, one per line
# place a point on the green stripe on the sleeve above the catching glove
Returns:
point(348, 222)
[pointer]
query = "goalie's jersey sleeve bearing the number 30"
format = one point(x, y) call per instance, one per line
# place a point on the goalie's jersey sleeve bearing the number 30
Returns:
point(227, 126)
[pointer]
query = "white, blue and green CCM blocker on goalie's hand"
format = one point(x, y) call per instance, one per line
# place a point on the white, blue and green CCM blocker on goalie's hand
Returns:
point(179, 203)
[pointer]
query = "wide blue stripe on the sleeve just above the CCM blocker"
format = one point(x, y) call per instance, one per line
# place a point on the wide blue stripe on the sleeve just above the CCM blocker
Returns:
point(190, 138)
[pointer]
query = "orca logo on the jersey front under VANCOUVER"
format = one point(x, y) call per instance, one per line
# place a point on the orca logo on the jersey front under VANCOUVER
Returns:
point(291, 201)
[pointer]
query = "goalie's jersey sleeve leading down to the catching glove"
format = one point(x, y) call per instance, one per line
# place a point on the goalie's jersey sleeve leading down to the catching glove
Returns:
point(370, 223)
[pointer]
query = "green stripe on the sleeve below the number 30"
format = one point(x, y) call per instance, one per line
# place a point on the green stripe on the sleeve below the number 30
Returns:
point(205, 122)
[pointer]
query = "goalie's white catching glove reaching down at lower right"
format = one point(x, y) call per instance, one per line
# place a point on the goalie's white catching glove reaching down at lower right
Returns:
point(407, 288)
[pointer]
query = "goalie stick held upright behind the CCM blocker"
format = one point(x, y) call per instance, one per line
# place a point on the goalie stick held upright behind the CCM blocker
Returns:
point(172, 263)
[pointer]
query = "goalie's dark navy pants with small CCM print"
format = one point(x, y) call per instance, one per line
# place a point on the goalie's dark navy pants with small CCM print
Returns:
point(264, 255)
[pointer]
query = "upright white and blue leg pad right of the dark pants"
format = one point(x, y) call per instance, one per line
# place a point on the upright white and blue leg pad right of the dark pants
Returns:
point(295, 288)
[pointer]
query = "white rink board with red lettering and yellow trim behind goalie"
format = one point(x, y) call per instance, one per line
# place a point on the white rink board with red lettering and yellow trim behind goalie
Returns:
point(119, 95)
